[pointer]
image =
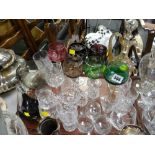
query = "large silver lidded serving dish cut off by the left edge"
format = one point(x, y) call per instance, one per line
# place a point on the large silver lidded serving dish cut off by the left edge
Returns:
point(9, 63)
